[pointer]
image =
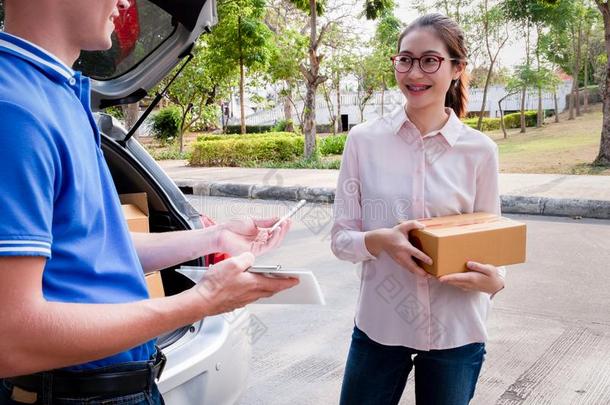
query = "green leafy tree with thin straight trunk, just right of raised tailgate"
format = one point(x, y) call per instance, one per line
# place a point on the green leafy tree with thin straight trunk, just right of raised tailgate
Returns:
point(241, 39)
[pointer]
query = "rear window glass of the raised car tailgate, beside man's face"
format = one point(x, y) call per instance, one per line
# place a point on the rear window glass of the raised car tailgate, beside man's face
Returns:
point(138, 32)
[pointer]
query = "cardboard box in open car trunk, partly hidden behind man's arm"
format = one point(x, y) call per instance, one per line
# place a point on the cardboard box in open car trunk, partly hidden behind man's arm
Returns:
point(135, 210)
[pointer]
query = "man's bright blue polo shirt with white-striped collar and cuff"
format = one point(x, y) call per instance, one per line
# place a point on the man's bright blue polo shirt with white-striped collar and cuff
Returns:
point(57, 197)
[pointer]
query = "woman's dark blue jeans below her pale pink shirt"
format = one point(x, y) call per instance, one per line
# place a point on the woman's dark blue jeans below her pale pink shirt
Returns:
point(376, 374)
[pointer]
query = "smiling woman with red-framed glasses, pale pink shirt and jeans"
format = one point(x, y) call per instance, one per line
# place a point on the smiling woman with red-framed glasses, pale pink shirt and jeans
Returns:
point(420, 161)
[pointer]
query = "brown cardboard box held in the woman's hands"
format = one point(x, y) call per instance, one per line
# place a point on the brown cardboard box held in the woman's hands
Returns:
point(481, 237)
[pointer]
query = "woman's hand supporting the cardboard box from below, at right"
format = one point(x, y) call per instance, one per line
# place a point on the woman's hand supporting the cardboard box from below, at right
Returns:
point(481, 277)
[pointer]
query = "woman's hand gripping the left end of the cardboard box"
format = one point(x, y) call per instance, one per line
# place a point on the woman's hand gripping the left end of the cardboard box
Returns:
point(395, 241)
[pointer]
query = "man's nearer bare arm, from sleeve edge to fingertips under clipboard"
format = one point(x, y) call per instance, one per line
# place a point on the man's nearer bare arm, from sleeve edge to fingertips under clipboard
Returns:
point(39, 335)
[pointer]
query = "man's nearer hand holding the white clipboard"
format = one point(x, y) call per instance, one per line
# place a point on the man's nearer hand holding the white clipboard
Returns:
point(227, 286)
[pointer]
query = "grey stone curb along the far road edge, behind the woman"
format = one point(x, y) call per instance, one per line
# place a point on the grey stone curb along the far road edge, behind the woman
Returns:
point(511, 204)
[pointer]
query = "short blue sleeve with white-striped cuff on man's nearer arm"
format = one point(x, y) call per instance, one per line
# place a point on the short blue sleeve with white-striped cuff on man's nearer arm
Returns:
point(29, 164)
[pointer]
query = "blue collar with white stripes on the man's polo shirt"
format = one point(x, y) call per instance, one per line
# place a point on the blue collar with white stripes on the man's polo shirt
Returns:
point(34, 54)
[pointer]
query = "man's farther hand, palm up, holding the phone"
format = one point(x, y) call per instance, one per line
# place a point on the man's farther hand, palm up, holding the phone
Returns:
point(250, 235)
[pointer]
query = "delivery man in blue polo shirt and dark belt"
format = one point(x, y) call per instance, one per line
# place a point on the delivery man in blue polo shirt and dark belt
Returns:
point(76, 320)
